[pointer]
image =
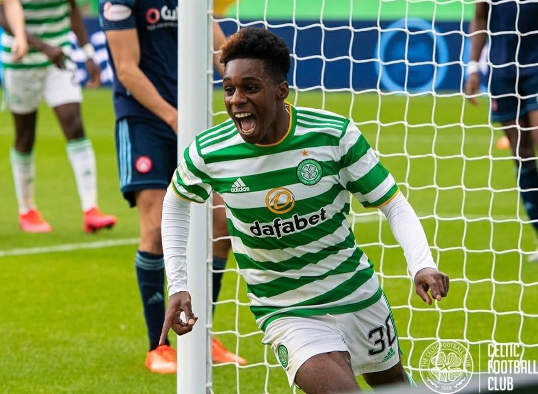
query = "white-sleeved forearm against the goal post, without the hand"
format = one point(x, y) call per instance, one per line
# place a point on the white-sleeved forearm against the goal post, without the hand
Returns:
point(174, 232)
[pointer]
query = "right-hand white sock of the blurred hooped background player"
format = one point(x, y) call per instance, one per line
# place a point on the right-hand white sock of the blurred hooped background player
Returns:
point(82, 158)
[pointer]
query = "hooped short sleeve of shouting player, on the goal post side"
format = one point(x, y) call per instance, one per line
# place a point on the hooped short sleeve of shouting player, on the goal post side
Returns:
point(190, 182)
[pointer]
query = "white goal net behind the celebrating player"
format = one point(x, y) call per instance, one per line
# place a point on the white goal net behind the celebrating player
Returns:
point(397, 69)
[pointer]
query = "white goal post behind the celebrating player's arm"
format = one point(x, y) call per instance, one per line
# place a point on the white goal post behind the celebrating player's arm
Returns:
point(194, 94)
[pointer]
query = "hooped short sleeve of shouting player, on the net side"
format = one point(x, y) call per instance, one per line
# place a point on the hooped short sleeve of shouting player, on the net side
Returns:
point(362, 173)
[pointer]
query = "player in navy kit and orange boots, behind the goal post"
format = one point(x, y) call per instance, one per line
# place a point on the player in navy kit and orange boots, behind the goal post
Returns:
point(142, 43)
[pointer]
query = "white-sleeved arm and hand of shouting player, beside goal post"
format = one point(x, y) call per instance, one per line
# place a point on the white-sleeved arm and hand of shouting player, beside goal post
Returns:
point(175, 232)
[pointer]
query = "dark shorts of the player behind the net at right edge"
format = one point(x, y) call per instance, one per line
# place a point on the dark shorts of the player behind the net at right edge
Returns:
point(510, 100)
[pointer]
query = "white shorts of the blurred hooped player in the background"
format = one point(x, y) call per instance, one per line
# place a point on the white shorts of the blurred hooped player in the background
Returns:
point(25, 88)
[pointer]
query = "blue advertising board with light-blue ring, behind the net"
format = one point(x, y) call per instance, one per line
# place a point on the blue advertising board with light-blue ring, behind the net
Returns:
point(410, 55)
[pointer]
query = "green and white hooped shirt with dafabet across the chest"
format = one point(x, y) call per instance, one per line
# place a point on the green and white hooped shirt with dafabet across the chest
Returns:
point(287, 207)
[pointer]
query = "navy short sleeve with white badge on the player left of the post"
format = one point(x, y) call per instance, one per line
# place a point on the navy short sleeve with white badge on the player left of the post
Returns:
point(117, 14)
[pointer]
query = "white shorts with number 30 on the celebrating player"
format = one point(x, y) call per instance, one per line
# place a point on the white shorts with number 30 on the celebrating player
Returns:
point(368, 335)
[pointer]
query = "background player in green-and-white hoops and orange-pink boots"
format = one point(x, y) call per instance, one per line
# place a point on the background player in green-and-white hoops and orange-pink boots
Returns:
point(47, 72)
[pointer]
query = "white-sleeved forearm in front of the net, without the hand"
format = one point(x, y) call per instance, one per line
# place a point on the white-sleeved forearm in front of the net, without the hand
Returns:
point(409, 233)
